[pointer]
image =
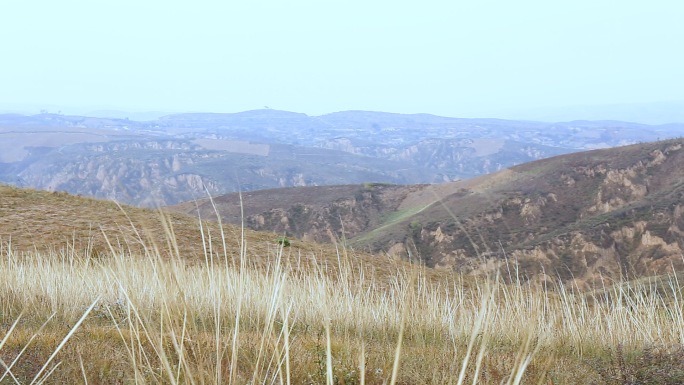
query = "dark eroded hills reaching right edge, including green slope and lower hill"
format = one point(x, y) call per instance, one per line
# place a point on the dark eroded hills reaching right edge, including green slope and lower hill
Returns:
point(586, 216)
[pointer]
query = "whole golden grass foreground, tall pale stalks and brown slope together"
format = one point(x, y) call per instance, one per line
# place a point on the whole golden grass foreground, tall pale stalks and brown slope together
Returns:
point(241, 309)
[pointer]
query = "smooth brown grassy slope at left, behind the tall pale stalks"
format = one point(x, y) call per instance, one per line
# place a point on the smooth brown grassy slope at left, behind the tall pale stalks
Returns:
point(32, 220)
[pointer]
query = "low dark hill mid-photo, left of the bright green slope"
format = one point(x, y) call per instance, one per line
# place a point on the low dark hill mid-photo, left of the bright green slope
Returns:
point(316, 213)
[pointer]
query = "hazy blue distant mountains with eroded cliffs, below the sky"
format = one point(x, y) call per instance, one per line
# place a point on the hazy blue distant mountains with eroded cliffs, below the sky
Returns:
point(178, 157)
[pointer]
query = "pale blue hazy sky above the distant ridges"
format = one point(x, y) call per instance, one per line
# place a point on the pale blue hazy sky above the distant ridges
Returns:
point(456, 58)
